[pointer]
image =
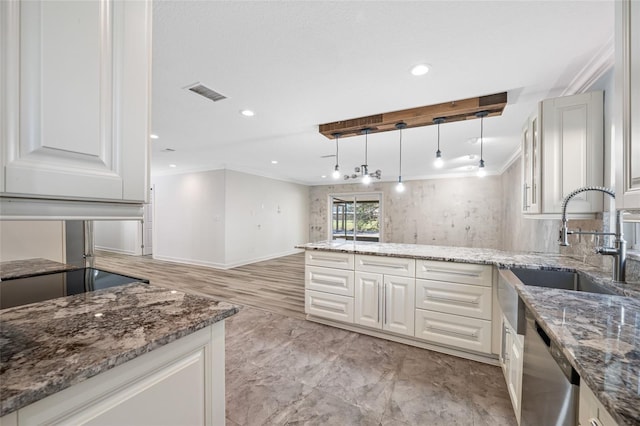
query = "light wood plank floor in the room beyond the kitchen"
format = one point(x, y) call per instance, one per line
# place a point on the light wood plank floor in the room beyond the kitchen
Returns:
point(275, 285)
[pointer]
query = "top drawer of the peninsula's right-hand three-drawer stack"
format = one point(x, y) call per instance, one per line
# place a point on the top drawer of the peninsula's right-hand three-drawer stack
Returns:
point(461, 273)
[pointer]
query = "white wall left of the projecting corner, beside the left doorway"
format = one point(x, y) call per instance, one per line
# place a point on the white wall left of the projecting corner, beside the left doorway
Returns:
point(189, 221)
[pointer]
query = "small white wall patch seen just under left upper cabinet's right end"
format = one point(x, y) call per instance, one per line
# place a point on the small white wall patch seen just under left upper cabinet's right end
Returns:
point(118, 236)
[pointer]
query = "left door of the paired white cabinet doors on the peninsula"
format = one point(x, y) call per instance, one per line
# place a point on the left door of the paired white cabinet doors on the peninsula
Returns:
point(368, 299)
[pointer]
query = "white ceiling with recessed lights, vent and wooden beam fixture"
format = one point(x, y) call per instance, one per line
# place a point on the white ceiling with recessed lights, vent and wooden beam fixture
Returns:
point(298, 64)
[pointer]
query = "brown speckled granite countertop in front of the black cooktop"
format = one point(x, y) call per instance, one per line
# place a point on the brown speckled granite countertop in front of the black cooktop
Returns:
point(48, 346)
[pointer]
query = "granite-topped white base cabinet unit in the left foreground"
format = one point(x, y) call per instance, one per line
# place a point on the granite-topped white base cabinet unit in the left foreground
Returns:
point(137, 352)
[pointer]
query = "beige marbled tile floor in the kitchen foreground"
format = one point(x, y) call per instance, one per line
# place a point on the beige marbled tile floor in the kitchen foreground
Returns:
point(286, 371)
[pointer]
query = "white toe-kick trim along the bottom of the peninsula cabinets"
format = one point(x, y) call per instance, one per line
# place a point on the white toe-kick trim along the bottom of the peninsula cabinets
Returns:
point(483, 358)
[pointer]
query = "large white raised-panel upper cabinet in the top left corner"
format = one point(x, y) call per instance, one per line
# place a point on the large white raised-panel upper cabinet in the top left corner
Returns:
point(75, 79)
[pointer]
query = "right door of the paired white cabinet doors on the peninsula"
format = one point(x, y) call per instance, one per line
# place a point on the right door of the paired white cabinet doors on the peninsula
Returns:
point(399, 305)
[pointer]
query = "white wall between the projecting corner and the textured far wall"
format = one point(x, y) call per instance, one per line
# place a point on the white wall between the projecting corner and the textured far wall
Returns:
point(265, 218)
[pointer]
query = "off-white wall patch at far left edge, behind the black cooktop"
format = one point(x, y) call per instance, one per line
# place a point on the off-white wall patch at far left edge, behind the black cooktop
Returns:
point(32, 239)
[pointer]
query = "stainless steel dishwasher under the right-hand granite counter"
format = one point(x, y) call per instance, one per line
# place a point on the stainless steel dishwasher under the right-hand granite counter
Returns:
point(550, 385)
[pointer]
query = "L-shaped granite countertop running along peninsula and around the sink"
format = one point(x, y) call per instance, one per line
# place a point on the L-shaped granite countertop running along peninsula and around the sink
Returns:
point(599, 334)
